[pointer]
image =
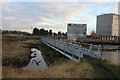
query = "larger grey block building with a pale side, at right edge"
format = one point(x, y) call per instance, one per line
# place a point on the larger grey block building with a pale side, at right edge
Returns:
point(108, 25)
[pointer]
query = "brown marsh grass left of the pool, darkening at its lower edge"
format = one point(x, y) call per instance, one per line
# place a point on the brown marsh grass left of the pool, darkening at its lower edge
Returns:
point(16, 51)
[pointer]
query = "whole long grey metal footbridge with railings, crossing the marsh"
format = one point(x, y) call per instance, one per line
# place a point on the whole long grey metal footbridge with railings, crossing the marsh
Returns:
point(72, 51)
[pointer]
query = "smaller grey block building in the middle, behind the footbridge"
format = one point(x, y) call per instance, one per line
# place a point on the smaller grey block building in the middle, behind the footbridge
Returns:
point(75, 31)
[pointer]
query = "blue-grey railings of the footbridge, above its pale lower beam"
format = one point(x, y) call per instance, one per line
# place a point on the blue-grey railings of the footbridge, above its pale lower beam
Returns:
point(73, 48)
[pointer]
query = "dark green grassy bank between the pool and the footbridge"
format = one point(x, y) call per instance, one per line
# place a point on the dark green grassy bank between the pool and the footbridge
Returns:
point(51, 56)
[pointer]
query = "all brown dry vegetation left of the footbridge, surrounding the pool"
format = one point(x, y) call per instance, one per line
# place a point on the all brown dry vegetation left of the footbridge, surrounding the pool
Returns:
point(16, 54)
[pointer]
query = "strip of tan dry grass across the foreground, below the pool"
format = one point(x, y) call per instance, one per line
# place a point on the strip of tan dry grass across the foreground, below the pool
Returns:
point(66, 70)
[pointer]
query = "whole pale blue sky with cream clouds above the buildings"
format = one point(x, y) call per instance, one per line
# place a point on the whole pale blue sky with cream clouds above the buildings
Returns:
point(24, 15)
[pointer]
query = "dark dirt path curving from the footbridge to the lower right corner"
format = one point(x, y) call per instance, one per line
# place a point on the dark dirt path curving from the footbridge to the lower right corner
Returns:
point(106, 72)
